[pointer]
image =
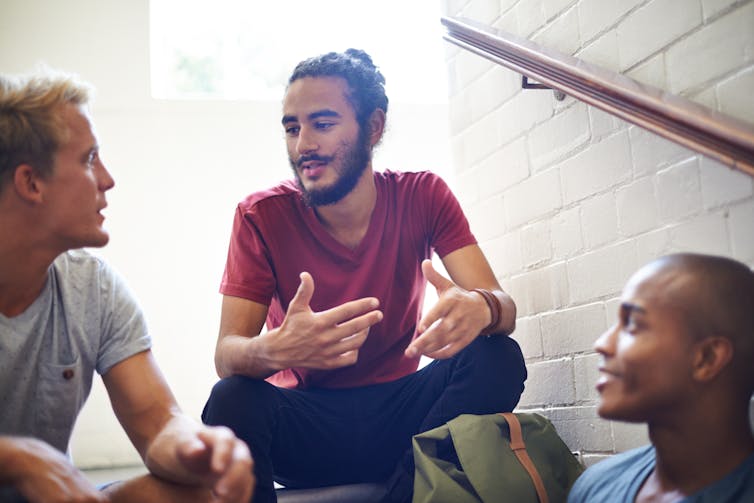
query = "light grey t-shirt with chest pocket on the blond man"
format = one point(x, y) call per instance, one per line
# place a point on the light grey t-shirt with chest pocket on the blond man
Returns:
point(84, 320)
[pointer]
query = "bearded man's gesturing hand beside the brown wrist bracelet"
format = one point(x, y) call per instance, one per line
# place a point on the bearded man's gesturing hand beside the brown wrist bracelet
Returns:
point(452, 323)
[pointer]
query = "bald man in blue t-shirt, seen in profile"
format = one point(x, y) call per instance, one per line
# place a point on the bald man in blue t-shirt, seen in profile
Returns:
point(681, 359)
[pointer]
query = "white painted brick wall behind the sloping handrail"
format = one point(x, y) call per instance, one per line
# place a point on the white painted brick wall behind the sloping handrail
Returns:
point(569, 201)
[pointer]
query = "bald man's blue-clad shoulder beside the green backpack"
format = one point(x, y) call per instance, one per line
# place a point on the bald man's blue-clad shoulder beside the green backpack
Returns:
point(620, 475)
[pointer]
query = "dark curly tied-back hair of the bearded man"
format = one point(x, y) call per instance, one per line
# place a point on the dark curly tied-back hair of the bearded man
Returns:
point(366, 83)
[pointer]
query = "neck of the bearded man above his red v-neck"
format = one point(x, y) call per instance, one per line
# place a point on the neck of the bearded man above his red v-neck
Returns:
point(348, 219)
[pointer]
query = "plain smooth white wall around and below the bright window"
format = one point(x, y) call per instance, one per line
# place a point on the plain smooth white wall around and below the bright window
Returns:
point(180, 168)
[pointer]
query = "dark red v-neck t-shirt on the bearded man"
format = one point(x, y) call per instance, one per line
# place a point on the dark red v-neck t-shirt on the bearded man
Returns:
point(276, 236)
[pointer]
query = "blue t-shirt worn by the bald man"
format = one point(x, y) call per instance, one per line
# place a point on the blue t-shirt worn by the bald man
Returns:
point(619, 479)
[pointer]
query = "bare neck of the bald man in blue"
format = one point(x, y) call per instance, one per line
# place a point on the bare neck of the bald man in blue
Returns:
point(704, 448)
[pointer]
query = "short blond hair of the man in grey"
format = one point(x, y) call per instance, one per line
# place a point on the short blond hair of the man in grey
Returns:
point(31, 125)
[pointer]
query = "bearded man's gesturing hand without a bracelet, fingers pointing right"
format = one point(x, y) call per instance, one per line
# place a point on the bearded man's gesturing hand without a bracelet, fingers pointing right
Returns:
point(326, 339)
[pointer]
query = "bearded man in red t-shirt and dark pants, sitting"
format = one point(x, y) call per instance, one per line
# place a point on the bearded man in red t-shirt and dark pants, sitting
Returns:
point(336, 263)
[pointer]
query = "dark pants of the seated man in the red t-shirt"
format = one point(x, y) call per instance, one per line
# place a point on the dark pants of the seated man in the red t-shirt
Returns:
point(323, 437)
